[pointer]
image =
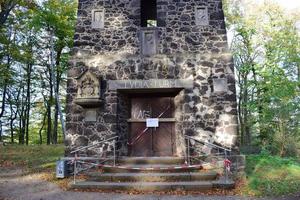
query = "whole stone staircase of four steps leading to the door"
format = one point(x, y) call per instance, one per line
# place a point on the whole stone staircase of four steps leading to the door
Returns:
point(151, 174)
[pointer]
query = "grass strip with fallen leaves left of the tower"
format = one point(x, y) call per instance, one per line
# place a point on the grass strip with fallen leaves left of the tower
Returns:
point(33, 158)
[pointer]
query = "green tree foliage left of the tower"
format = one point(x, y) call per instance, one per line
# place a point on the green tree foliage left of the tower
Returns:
point(24, 42)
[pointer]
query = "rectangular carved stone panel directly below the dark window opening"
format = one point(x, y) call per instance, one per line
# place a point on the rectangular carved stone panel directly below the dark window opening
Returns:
point(149, 40)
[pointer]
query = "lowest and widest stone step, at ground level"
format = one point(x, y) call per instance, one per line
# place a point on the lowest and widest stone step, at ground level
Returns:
point(144, 186)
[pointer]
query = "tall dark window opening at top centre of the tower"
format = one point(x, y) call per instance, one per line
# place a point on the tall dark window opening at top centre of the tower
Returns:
point(148, 13)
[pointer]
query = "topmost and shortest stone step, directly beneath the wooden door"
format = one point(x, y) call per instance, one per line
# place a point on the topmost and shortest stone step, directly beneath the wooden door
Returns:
point(151, 160)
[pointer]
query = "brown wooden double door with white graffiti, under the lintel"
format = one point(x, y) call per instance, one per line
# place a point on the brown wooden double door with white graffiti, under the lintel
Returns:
point(152, 141)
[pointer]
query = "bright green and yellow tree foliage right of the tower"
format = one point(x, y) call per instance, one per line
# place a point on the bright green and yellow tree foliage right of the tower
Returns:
point(266, 50)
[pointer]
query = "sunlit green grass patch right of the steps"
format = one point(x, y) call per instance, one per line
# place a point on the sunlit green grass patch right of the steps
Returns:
point(271, 175)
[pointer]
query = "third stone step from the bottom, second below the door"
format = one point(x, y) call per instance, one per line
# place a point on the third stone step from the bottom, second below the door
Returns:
point(150, 168)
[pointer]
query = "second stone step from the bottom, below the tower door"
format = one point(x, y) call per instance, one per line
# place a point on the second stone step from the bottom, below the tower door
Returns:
point(152, 177)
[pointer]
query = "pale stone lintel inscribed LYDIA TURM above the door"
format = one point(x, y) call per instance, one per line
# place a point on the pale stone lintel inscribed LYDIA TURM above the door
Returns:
point(149, 84)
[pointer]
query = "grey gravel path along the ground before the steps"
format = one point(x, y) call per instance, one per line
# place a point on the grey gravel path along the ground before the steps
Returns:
point(31, 187)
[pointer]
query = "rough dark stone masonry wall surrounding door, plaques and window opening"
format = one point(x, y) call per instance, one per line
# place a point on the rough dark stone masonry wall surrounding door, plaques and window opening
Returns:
point(185, 51)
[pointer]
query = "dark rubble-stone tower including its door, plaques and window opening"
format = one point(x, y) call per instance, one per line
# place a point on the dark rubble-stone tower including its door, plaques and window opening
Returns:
point(150, 72)
